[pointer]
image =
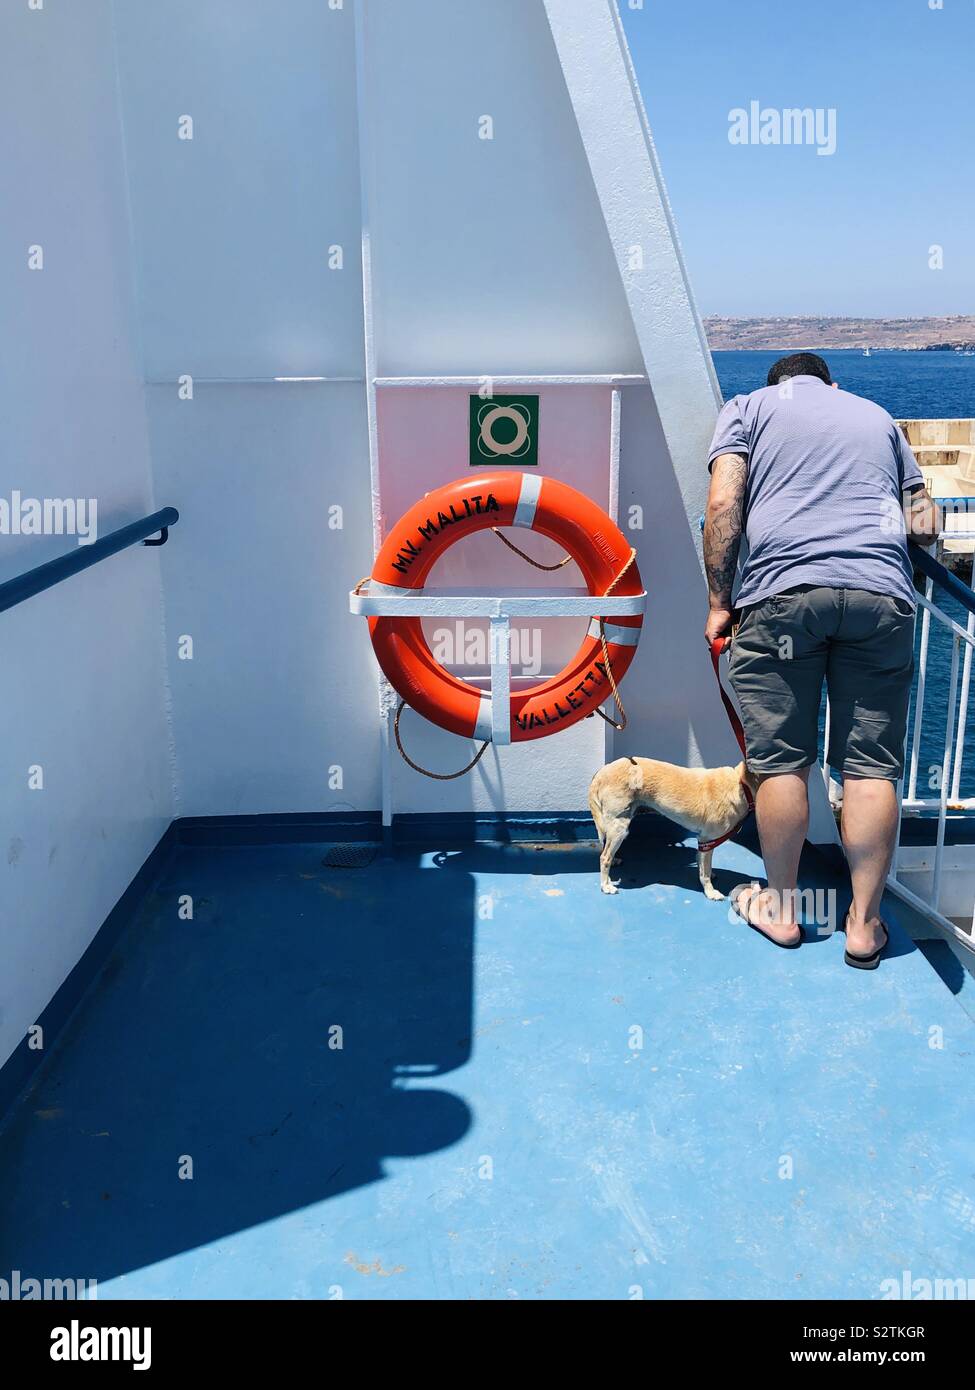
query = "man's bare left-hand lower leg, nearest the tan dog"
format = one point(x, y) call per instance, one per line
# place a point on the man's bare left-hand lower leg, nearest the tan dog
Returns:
point(782, 810)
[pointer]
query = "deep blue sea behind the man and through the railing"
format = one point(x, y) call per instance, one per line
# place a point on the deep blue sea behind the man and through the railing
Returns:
point(912, 386)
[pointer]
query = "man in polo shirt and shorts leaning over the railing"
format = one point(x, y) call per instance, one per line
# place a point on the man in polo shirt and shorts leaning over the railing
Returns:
point(825, 490)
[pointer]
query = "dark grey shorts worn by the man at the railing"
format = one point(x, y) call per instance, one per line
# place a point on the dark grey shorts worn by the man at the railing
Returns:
point(862, 644)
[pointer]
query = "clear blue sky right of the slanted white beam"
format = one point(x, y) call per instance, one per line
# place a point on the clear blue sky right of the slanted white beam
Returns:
point(781, 230)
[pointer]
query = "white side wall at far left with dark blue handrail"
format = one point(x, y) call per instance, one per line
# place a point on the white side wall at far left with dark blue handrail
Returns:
point(83, 689)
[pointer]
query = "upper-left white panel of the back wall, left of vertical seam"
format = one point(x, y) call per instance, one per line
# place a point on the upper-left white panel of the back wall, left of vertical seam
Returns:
point(234, 226)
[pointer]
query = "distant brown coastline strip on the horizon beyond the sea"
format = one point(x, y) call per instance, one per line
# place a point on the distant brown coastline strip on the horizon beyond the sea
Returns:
point(953, 334)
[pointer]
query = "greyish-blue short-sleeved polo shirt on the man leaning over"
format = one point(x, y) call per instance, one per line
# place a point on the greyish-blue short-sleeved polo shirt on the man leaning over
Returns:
point(824, 496)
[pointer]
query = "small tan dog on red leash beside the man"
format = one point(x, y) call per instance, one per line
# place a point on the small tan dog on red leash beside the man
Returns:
point(710, 801)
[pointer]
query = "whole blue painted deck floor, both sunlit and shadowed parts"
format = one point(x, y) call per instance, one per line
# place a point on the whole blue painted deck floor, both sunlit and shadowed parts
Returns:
point(540, 1093)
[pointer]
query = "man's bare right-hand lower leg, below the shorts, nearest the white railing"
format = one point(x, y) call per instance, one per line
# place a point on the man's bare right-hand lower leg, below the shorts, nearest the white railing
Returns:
point(870, 828)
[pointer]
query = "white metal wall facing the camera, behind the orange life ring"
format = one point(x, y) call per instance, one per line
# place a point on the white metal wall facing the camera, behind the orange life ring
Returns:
point(485, 256)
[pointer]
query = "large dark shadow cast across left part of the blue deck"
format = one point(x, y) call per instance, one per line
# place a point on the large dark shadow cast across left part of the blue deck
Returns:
point(279, 1046)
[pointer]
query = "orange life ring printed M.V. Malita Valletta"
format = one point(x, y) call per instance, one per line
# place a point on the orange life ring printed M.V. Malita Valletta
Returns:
point(475, 504)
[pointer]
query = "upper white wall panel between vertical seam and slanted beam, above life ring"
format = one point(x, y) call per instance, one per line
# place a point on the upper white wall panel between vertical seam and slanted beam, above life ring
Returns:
point(490, 255)
